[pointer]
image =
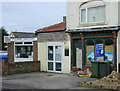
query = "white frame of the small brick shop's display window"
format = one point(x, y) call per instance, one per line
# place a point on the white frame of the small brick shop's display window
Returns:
point(22, 59)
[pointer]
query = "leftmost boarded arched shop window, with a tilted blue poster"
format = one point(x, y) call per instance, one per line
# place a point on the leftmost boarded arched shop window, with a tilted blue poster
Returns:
point(89, 51)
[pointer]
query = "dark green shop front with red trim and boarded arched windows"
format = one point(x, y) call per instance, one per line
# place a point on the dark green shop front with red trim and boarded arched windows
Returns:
point(93, 45)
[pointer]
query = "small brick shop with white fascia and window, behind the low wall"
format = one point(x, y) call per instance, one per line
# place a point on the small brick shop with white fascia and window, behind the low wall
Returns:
point(23, 47)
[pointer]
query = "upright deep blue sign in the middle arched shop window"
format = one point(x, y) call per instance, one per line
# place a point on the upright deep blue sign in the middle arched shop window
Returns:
point(99, 49)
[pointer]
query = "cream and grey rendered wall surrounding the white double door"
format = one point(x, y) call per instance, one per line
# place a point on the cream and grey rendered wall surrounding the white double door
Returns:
point(43, 39)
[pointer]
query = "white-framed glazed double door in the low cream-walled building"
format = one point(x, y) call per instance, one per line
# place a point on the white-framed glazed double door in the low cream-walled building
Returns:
point(54, 59)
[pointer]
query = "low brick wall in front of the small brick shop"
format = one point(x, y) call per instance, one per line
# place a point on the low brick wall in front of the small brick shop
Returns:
point(19, 67)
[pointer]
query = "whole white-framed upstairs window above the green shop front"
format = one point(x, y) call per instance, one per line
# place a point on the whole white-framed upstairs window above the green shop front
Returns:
point(93, 14)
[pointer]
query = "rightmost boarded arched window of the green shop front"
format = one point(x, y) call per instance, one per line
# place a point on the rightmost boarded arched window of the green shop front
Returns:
point(109, 50)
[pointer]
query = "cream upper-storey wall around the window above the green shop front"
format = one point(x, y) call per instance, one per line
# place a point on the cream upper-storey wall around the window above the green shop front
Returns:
point(73, 14)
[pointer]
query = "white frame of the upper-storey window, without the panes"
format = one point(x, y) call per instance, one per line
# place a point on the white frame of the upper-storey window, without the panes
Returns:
point(87, 15)
